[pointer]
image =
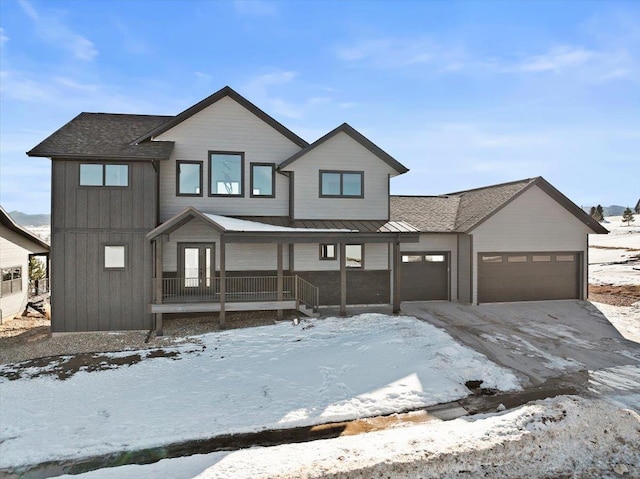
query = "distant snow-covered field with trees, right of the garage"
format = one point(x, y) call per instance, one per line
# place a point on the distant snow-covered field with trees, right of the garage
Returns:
point(615, 258)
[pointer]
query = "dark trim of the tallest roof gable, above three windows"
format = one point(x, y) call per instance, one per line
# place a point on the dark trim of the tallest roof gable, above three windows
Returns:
point(210, 100)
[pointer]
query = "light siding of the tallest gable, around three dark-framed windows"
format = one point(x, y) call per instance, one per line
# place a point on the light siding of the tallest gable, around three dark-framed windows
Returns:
point(225, 126)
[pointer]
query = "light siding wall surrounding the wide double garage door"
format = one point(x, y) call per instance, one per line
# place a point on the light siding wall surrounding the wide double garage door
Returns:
point(531, 222)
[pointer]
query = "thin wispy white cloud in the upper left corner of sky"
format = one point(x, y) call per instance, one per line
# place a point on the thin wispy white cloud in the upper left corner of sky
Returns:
point(52, 29)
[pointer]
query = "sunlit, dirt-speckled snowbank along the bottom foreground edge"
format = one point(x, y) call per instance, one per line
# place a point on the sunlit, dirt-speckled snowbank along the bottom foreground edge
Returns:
point(562, 437)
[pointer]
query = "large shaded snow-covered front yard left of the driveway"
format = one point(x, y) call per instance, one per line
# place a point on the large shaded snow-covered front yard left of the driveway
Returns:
point(243, 380)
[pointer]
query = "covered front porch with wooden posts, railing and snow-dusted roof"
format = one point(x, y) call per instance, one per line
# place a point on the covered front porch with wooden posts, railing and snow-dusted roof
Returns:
point(211, 284)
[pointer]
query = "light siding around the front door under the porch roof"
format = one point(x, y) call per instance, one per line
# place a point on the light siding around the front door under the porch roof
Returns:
point(239, 256)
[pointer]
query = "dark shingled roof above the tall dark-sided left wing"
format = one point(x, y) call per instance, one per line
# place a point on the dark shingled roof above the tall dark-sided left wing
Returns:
point(105, 136)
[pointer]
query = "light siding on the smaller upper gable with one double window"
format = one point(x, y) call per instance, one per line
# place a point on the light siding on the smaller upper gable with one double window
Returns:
point(340, 153)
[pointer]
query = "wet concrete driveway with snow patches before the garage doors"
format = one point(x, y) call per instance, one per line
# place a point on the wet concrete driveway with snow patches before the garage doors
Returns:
point(566, 343)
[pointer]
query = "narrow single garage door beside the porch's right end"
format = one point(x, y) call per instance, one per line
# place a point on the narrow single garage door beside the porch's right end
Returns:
point(424, 276)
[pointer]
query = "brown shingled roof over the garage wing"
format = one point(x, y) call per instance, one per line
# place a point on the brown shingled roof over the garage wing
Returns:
point(462, 211)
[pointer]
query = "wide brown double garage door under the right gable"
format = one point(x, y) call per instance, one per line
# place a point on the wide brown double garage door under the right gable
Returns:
point(528, 276)
